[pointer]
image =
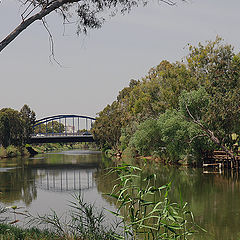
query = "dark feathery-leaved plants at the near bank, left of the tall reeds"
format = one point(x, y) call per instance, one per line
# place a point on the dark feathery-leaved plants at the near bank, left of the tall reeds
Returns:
point(84, 222)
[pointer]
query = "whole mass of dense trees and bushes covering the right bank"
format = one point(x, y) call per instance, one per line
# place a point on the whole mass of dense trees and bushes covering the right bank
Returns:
point(179, 111)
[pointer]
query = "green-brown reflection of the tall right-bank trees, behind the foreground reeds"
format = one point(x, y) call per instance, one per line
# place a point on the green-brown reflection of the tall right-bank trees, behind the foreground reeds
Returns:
point(213, 198)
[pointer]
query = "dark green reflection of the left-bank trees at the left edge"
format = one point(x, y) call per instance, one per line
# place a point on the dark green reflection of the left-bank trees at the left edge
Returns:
point(18, 184)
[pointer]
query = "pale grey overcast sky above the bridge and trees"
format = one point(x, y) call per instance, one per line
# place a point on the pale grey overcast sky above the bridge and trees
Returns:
point(94, 68)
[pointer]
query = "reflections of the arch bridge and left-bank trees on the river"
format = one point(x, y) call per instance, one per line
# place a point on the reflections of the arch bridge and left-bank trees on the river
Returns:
point(67, 171)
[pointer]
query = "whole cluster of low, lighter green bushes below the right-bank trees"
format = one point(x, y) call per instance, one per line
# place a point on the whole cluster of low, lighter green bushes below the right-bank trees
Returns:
point(172, 137)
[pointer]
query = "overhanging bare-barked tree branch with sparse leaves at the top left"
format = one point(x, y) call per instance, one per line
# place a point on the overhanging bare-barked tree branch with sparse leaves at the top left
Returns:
point(87, 14)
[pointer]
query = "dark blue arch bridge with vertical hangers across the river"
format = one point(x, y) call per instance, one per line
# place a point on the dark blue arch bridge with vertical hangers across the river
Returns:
point(63, 128)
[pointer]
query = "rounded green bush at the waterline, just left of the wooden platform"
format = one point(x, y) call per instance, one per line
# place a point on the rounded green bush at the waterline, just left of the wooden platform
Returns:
point(182, 139)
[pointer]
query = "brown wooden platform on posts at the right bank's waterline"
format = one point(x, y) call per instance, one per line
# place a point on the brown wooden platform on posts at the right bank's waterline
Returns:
point(221, 160)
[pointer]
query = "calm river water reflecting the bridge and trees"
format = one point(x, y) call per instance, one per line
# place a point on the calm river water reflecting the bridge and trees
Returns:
point(49, 181)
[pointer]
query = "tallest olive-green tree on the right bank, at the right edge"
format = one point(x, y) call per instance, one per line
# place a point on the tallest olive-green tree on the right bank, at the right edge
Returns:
point(217, 68)
